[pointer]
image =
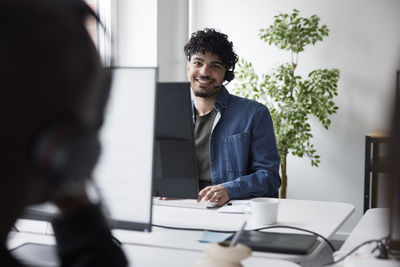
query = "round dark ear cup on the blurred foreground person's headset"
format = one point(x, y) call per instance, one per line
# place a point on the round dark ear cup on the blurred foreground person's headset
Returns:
point(66, 154)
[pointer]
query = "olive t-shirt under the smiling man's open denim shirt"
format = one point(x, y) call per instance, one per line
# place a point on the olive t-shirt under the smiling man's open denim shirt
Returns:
point(202, 131)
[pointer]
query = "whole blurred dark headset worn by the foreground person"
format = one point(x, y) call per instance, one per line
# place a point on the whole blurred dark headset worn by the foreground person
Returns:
point(64, 150)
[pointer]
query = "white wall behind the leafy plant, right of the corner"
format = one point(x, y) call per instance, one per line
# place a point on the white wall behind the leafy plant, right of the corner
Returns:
point(364, 44)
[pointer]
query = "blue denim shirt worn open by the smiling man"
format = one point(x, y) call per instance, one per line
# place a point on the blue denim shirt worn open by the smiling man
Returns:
point(243, 153)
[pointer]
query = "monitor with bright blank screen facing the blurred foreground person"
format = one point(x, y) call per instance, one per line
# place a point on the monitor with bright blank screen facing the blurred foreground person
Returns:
point(124, 172)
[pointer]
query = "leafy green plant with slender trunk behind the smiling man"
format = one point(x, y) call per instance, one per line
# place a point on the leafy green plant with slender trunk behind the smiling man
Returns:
point(291, 98)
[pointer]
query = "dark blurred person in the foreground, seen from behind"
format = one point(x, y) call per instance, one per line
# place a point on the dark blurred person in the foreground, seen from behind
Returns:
point(53, 90)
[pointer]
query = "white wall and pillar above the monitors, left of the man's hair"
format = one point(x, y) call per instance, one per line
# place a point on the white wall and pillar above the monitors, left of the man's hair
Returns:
point(152, 33)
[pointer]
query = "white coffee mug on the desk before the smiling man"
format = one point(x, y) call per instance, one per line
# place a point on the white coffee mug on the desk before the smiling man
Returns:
point(263, 210)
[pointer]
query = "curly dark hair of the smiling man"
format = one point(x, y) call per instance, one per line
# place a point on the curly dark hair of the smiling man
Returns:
point(214, 42)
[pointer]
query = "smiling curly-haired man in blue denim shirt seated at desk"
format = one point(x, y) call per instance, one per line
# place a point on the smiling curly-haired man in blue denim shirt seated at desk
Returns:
point(236, 150)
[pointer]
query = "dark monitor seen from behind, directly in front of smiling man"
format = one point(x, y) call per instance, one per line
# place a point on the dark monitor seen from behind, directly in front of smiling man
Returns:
point(175, 161)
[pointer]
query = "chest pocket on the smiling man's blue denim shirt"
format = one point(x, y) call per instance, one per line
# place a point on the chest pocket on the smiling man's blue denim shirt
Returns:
point(236, 153)
